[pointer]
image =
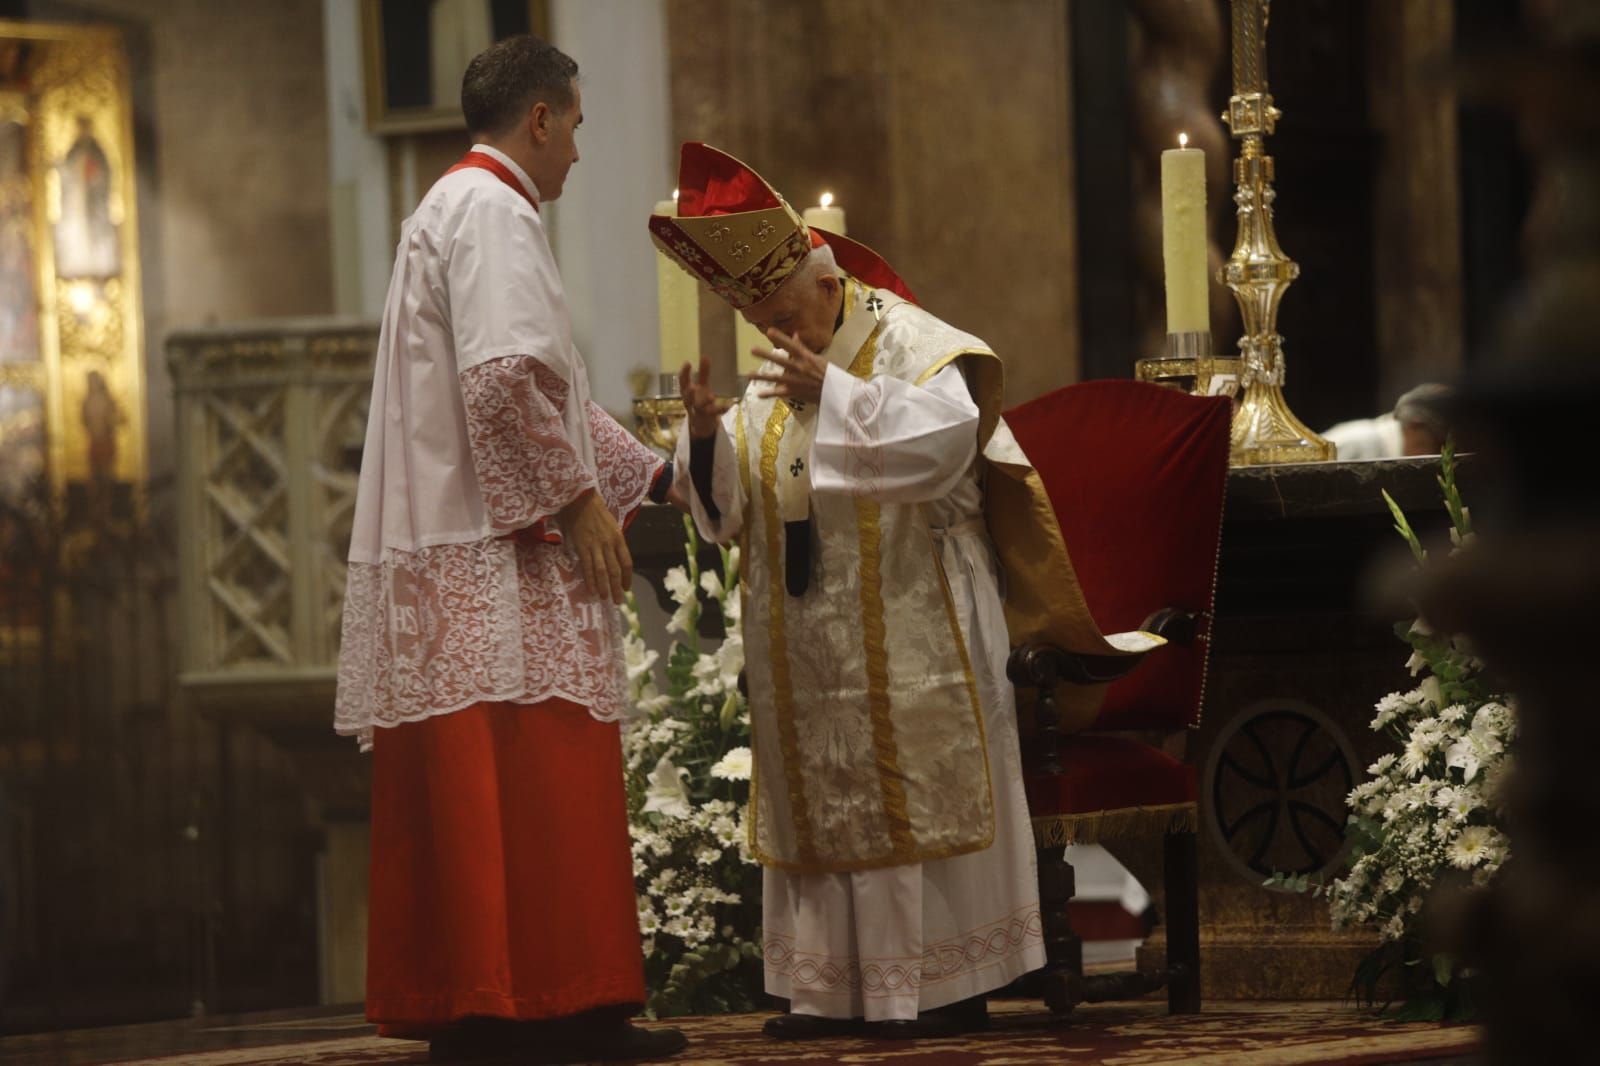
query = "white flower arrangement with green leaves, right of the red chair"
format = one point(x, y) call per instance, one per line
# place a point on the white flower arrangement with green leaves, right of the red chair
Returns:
point(1430, 811)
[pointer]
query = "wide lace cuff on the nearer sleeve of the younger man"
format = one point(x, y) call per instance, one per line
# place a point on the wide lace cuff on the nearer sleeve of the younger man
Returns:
point(527, 468)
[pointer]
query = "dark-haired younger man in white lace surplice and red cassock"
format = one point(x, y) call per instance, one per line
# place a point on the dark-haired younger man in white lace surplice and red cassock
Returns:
point(481, 659)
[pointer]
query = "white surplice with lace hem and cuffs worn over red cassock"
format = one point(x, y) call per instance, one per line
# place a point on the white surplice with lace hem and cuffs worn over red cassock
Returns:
point(481, 431)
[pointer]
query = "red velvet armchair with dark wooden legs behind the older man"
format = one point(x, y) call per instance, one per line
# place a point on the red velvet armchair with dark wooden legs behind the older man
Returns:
point(1137, 476)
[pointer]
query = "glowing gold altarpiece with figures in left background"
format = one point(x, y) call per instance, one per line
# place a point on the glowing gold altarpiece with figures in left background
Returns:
point(71, 326)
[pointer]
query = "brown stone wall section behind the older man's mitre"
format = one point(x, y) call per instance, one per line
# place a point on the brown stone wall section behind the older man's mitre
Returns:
point(942, 127)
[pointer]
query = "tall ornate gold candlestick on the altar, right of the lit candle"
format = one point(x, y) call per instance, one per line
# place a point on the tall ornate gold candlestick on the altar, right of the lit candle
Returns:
point(1265, 428)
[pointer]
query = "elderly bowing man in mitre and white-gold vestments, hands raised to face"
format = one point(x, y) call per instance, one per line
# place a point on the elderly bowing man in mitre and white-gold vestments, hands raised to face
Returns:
point(889, 808)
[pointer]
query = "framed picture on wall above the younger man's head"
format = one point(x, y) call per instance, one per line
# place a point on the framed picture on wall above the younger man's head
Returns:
point(417, 52)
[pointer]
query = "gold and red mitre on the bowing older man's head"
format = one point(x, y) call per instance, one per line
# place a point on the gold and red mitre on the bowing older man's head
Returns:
point(742, 239)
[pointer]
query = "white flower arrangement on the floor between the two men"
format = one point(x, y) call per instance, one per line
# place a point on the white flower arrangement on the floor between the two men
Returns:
point(687, 761)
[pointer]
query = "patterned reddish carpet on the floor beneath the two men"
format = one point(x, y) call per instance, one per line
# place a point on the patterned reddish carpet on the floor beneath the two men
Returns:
point(1127, 1035)
